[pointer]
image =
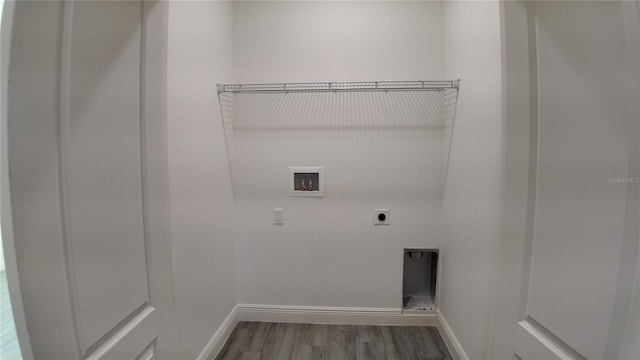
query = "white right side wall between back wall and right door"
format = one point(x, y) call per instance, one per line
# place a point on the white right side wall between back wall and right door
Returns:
point(470, 224)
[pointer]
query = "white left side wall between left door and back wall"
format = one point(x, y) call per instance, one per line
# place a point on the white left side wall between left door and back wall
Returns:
point(200, 53)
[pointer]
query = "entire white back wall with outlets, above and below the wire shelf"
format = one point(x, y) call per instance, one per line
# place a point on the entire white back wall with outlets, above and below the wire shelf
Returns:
point(329, 253)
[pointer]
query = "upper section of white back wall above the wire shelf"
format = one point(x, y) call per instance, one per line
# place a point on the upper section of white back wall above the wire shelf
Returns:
point(291, 41)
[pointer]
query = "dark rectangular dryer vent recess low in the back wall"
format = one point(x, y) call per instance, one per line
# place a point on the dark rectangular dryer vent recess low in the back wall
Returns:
point(419, 279)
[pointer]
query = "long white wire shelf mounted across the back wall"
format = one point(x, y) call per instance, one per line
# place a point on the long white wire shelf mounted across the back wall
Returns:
point(420, 85)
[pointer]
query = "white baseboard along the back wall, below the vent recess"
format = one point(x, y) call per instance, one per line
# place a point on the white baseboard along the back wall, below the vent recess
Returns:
point(332, 315)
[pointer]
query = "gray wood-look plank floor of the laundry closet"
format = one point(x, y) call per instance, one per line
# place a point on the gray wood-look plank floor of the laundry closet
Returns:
point(267, 341)
